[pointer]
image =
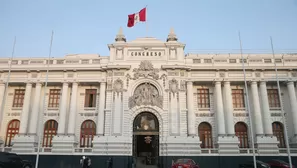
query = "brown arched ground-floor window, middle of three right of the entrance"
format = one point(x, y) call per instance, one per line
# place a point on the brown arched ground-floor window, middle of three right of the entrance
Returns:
point(241, 133)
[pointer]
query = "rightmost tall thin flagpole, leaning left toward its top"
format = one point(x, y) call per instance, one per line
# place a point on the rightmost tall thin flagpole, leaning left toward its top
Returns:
point(281, 104)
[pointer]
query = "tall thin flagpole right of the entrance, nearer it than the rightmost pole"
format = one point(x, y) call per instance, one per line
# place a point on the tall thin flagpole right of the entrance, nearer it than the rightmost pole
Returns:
point(248, 102)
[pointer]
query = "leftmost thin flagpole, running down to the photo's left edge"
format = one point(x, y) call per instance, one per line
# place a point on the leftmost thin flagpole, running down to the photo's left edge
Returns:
point(6, 84)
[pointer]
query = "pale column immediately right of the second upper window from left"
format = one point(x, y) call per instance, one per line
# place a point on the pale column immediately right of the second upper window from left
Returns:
point(62, 118)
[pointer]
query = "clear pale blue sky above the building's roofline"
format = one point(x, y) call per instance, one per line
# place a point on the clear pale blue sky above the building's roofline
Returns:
point(87, 26)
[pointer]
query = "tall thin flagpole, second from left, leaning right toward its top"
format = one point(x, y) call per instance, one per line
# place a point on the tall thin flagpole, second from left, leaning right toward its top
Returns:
point(40, 116)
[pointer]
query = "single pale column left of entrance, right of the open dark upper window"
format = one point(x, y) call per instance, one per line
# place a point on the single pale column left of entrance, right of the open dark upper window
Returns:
point(100, 118)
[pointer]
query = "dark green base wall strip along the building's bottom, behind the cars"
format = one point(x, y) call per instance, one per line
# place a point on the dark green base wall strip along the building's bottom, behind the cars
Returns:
point(70, 161)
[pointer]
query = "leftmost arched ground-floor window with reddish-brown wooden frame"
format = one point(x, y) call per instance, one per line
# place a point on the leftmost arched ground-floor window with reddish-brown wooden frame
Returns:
point(12, 129)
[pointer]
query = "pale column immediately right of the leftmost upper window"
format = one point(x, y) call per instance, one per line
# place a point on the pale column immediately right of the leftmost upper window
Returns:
point(26, 108)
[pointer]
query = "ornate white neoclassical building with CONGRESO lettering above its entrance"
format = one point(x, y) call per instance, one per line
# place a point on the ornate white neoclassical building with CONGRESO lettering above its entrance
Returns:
point(147, 100)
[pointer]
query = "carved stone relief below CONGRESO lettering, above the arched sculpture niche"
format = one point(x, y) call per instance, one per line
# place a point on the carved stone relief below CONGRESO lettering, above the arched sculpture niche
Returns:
point(146, 69)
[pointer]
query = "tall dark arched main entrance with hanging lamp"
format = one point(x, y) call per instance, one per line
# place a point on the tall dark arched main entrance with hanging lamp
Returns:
point(146, 140)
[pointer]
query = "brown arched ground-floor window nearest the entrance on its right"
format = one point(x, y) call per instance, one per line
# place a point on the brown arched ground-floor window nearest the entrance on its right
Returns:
point(205, 135)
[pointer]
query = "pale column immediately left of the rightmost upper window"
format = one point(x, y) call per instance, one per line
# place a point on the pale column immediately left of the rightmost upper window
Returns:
point(265, 109)
